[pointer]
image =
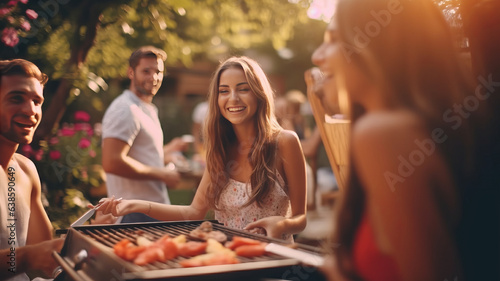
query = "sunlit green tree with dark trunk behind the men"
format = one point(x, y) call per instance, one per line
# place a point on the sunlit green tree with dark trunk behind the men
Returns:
point(73, 39)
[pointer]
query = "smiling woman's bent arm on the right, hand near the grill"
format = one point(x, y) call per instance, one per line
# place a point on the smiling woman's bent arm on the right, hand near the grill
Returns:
point(292, 158)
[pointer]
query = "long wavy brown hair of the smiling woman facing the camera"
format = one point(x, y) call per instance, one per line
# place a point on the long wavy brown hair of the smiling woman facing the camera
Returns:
point(219, 134)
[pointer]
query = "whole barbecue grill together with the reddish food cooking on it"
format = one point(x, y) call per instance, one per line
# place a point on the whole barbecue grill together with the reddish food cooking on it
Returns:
point(114, 252)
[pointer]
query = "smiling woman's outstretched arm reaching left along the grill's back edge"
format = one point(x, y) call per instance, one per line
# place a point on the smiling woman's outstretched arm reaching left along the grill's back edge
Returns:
point(196, 211)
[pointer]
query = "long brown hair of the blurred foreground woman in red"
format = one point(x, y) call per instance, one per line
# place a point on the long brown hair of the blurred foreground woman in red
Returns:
point(412, 59)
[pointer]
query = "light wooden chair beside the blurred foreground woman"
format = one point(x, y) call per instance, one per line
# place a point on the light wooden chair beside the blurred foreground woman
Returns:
point(335, 137)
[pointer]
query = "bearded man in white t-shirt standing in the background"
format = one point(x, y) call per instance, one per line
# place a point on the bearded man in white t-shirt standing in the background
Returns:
point(132, 149)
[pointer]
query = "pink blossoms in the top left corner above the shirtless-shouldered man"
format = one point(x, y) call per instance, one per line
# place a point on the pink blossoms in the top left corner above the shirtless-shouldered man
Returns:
point(14, 21)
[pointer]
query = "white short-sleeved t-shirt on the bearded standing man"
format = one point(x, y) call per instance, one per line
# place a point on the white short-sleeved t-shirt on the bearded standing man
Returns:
point(136, 122)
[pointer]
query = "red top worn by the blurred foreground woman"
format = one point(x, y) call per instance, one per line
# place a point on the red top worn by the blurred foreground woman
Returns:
point(371, 264)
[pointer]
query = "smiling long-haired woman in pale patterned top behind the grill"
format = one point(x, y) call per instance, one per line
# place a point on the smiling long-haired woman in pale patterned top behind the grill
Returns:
point(255, 177)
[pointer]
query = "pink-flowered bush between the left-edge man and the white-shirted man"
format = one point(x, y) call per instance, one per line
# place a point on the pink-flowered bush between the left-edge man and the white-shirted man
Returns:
point(69, 167)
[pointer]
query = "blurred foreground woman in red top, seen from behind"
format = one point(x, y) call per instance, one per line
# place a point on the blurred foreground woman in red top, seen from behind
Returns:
point(413, 112)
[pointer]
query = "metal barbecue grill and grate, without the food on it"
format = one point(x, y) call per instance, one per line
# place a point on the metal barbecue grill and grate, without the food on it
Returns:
point(98, 241)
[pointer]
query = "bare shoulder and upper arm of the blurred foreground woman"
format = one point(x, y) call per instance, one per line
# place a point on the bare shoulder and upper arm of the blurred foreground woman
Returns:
point(411, 200)
